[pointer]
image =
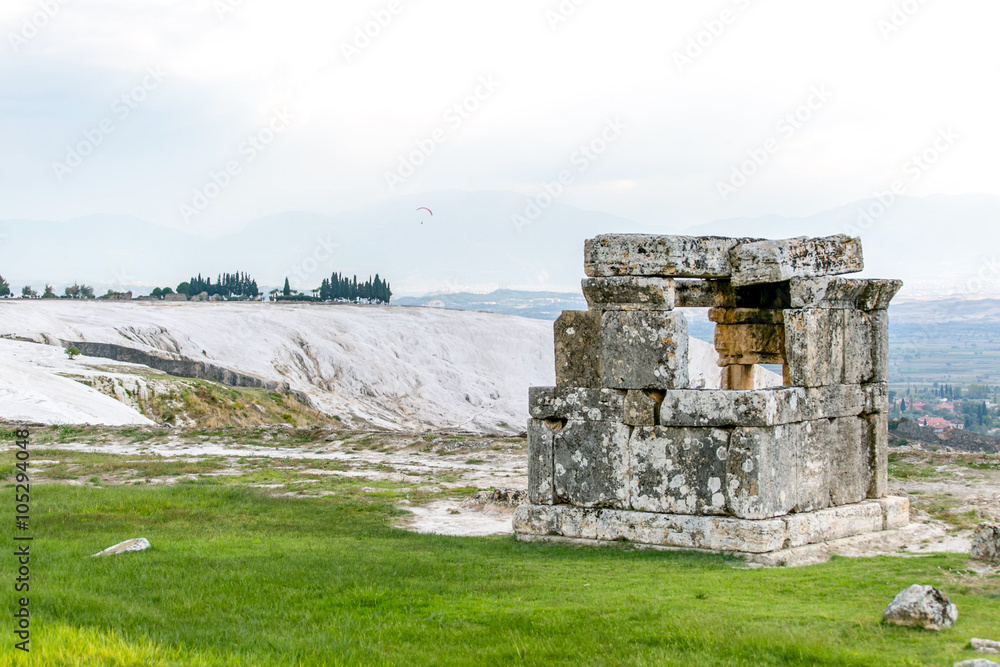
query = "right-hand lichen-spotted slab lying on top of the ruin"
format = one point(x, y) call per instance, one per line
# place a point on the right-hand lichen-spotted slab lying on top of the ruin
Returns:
point(777, 261)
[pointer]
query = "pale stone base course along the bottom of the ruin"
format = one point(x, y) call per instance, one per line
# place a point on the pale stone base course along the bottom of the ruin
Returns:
point(715, 534)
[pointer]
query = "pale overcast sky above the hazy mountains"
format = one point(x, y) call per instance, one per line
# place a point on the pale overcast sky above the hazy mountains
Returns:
point(128, 107)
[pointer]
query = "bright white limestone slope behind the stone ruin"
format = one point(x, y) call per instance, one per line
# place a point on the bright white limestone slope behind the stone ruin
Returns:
point(395, 367)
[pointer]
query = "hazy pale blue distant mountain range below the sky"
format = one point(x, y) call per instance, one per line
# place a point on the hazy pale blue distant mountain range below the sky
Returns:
point(938, 245)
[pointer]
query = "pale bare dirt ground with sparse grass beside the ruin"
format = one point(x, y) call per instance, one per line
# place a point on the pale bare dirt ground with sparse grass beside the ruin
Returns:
point(433, 476)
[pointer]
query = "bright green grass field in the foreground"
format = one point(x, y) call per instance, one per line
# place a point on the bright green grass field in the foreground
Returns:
point(237, 577)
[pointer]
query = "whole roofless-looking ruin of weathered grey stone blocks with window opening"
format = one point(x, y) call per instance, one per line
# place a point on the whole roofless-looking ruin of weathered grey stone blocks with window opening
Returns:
point(623, 449)
